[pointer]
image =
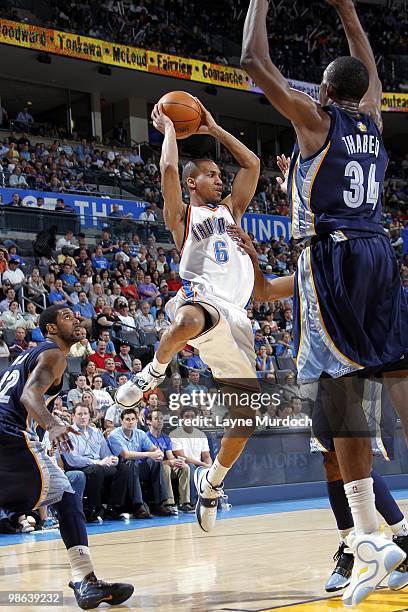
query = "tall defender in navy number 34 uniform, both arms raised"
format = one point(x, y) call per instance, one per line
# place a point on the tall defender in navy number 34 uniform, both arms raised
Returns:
point(349, 304)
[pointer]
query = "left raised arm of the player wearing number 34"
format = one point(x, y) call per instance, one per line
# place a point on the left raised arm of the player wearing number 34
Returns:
point(298, 107)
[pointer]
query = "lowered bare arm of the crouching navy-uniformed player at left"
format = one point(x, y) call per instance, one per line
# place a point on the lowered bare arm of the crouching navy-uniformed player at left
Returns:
point(48, 371)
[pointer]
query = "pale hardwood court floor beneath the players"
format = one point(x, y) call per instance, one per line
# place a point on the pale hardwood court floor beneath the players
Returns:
point(249, 563)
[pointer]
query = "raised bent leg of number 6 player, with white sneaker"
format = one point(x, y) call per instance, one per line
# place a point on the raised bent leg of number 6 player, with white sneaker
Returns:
point(189, 322)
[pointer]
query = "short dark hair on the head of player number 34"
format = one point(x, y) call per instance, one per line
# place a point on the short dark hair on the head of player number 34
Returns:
point(349, 77)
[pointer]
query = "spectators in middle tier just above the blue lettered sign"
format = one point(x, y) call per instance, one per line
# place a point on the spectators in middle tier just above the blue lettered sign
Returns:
point(68, 167)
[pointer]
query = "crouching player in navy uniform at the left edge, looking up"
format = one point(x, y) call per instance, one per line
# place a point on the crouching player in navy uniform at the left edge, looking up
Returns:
point(29, 479)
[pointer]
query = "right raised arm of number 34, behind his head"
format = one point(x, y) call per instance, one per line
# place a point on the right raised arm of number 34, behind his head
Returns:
point(360, 48)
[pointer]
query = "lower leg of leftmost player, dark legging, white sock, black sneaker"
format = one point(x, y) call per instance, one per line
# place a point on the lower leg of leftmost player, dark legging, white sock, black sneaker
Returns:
point(89, 591)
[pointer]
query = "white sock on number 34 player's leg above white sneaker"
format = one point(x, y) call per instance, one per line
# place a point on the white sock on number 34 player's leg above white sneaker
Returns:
point(360, 496)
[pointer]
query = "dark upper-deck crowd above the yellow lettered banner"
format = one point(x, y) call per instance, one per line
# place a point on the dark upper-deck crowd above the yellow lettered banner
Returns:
point(310, 39)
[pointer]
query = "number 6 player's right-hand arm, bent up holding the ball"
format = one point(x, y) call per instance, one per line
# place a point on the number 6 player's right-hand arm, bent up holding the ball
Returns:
point(246, 180)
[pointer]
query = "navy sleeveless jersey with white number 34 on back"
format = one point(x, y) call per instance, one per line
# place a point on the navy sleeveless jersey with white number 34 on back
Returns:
point(339, 189)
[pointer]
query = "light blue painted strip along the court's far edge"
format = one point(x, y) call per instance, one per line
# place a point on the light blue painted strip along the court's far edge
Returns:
point(134, 524)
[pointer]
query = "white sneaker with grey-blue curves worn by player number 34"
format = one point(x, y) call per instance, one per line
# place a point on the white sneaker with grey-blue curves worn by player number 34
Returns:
point(374, 557)
